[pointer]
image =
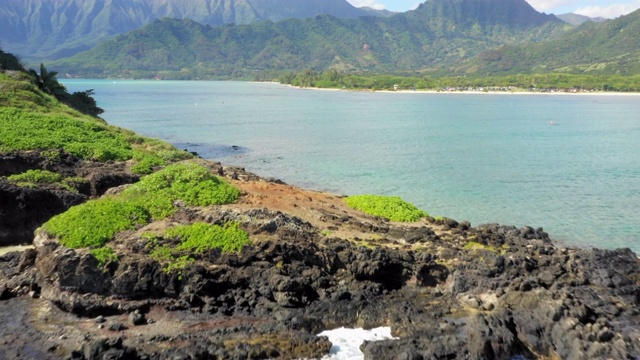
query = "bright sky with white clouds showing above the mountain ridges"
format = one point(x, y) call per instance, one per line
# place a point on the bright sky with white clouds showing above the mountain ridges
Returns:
point(606, 8)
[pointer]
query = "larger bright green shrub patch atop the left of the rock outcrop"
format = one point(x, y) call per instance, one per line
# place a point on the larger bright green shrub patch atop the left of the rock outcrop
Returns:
point(94, 223)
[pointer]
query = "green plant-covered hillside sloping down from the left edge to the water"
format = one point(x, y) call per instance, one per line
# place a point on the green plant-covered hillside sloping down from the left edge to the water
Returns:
point(33, 120)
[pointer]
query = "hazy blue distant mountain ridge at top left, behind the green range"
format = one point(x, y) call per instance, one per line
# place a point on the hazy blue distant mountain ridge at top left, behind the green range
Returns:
point(52, 29)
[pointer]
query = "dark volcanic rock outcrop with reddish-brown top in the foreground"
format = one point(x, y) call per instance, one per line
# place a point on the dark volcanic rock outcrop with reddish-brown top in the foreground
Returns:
point(447, 289)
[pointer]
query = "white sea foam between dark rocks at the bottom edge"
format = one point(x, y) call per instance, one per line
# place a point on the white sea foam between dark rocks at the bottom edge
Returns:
point(346, 342)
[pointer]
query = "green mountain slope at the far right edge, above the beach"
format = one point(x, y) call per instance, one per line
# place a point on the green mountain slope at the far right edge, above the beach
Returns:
point(610, 47)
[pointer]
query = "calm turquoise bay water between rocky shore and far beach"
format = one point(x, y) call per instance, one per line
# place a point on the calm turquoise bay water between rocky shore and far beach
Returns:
point(483, 158)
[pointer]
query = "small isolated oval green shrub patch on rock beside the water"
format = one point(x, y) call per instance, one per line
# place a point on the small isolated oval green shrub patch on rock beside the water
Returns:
point(390, 207)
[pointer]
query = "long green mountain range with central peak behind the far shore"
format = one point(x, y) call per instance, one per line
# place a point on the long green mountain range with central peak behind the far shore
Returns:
point(438, 34)
